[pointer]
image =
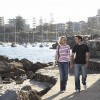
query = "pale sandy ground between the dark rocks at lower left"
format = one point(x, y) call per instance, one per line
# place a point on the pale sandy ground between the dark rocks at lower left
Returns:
point(13, 86)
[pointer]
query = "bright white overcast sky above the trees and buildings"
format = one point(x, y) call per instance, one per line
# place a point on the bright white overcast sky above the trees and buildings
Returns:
point(61, 10)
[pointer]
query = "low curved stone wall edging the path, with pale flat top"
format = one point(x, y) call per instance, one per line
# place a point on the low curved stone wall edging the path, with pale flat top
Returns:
point(48, 75)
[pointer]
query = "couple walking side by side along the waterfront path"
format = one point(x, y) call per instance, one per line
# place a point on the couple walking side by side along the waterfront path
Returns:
point(79, 58)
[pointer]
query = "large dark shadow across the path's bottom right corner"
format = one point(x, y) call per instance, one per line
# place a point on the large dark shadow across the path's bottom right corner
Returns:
point(92, 93)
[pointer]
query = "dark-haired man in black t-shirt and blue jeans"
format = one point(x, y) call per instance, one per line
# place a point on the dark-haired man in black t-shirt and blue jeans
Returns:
point(80, 53)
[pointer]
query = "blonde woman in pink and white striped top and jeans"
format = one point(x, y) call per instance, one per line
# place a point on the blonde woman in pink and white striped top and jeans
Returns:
point(63, 58)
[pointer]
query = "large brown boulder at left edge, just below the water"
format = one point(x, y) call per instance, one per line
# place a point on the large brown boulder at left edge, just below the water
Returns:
point(11, 69)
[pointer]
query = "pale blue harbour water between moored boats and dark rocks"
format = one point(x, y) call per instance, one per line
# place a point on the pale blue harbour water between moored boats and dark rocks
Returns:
point(34, 54)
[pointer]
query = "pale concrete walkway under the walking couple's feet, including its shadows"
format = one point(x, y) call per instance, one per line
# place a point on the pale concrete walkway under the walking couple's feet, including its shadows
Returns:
point(91, 93)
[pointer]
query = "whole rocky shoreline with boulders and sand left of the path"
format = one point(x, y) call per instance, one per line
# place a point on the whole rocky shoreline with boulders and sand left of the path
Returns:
point(20, 80)
